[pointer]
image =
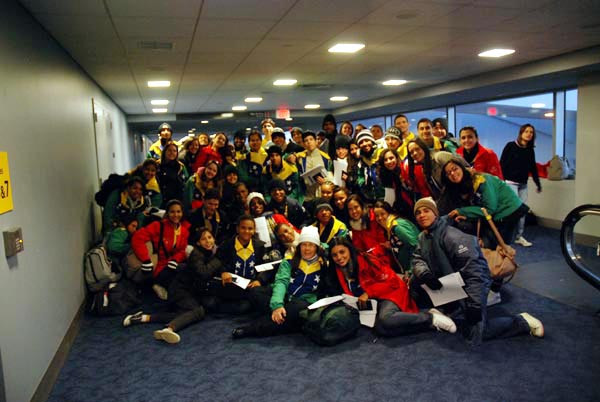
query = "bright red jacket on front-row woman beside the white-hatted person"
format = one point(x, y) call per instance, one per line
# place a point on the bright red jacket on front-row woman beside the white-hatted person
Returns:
point(380, 282)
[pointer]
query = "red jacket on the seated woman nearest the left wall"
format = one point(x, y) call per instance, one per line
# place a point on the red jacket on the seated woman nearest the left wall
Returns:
point(151, 233)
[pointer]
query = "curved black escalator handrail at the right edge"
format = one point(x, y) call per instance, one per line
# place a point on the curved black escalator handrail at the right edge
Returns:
point(567, 240)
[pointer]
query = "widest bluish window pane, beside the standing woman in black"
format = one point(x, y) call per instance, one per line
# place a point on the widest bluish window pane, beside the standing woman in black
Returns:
point(498, 122)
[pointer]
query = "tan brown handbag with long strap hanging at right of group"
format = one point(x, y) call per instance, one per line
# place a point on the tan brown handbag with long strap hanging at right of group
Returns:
point(501, 261)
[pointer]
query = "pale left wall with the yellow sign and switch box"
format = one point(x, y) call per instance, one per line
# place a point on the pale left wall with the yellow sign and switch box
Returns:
point(48, 132)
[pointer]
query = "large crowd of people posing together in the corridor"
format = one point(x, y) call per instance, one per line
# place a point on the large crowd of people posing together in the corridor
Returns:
point(270, 226)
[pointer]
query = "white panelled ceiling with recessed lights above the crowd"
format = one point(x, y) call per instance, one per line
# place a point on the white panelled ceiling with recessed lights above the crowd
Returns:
point(225, 50)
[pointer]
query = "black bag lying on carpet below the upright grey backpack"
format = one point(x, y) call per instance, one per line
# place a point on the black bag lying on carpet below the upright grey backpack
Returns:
point(115, 299)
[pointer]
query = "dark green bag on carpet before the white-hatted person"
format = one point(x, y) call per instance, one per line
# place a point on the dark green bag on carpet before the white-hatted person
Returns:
point(330, 325)
